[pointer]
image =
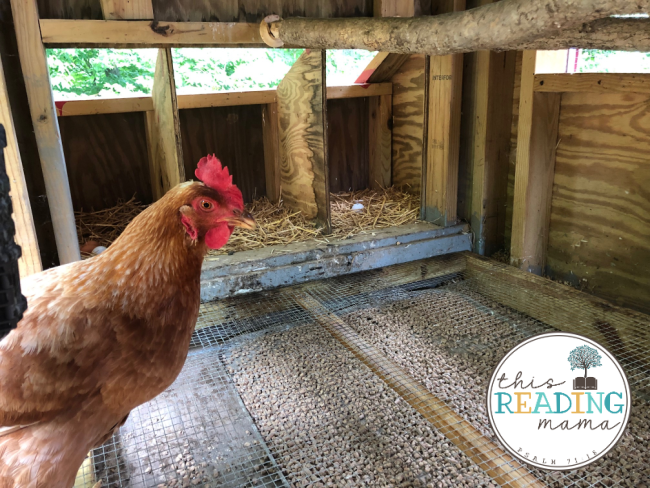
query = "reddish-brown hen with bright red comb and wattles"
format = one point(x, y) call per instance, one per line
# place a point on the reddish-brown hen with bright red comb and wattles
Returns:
point(102, 336)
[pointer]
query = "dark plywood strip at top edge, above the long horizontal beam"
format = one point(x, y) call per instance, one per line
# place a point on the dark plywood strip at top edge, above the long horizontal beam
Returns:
point(256, 10)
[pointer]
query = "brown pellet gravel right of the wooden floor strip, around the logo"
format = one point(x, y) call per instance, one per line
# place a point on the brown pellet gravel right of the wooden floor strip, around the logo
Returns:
point(451, 342)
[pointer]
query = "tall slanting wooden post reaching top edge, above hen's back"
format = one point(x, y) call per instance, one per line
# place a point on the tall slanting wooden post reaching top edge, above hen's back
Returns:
point(46, 128)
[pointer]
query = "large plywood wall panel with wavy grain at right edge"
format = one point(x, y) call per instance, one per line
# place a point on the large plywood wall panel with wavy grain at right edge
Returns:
point(600, 218)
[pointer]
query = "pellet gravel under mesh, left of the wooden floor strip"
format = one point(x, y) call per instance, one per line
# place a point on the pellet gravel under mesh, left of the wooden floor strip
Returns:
point(329, 421)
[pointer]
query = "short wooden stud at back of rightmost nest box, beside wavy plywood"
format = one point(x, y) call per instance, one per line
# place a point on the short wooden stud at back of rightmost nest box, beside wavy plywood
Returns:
point(380, 138)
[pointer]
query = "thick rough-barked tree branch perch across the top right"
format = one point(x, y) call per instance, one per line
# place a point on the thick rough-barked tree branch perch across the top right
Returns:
point(500, 26)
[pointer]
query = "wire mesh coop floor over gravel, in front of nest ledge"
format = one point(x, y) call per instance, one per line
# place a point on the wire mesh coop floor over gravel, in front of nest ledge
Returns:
point(282, 389)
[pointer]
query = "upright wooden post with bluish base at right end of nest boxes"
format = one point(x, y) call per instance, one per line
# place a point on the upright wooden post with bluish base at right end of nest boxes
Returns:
point(440, 173)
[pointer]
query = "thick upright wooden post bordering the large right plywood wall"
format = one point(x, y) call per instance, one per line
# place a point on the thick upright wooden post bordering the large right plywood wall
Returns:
point(536, 144)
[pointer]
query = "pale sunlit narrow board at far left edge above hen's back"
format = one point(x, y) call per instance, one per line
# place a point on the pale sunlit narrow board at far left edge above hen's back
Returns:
point(30, 260)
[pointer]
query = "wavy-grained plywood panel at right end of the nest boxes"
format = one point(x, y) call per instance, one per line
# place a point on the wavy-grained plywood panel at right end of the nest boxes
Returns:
point(408, 123)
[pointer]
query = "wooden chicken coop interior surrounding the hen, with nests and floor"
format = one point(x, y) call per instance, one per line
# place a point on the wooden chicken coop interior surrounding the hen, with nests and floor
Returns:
point(413, 227)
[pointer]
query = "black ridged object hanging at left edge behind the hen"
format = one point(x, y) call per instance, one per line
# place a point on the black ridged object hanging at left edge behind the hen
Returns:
point(12, 302)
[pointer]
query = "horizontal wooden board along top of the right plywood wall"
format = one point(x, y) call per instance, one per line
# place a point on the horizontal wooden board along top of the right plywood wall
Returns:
point(593, 82)
